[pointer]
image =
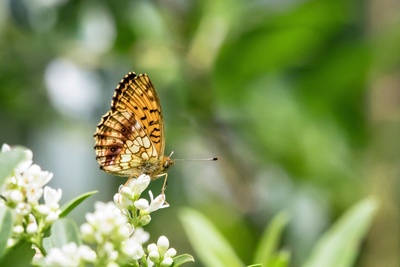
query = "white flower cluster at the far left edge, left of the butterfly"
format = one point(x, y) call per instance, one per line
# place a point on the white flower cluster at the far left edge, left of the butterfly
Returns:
point(21, 192)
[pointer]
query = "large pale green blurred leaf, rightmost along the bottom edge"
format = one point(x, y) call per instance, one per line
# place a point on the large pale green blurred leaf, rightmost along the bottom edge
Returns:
point(340, 245)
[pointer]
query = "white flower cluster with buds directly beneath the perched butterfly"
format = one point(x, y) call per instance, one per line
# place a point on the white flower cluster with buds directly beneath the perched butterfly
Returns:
point(113, 233)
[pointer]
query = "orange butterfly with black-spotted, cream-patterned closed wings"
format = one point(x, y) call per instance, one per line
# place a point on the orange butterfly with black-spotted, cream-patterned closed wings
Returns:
point(129, 140)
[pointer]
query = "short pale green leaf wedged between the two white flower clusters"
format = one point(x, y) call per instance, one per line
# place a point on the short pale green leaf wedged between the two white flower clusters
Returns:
point(63, 231)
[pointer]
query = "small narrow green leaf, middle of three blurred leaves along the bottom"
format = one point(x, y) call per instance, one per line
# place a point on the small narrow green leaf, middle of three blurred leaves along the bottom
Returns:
point(270, 239)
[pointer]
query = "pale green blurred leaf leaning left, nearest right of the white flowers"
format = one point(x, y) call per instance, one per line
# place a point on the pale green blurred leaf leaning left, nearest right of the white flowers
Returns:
point(208, 242)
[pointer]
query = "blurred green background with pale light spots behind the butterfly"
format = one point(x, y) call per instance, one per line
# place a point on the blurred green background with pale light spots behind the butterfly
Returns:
point(300, 101)
